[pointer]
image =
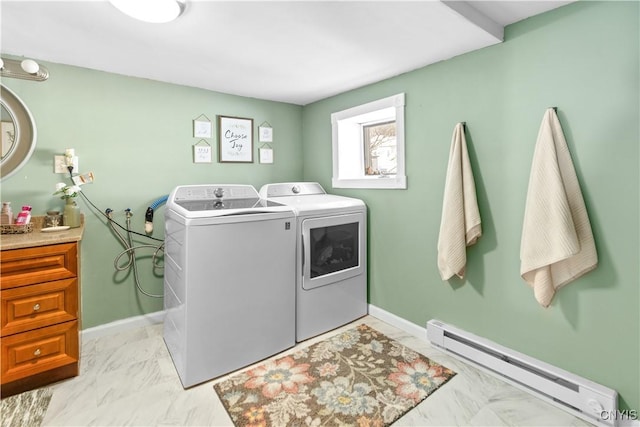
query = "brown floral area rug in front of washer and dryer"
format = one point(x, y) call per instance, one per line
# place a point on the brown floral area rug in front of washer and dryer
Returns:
point(359, 377)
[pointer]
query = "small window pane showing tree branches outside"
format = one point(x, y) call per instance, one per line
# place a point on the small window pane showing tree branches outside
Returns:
point(380, 148)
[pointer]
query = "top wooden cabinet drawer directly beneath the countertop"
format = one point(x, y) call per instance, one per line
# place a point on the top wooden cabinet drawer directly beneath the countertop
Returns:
point(21, 267)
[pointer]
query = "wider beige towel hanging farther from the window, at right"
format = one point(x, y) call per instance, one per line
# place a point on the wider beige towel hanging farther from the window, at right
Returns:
point(557, 243)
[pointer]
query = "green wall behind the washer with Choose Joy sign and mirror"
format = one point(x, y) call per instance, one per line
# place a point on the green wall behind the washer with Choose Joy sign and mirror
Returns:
point(136, 136)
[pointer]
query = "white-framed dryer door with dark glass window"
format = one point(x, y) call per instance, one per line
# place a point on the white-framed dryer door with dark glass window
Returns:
point(333, 249)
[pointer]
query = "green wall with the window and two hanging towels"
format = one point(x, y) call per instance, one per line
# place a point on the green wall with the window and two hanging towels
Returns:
point(582, 58)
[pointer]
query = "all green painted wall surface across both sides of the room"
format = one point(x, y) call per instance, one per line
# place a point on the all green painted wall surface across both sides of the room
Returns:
point(135, 135)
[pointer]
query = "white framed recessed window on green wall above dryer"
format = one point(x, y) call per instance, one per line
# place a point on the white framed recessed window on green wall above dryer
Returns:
point(368, 145)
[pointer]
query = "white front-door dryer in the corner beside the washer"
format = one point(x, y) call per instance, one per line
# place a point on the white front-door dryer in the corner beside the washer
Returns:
point(331, 256)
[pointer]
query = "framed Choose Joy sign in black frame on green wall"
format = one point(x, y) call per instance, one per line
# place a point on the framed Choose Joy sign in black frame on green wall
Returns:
point(235, 139)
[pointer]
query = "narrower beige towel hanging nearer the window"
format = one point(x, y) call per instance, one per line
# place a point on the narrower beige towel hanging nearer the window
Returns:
point(460, 224)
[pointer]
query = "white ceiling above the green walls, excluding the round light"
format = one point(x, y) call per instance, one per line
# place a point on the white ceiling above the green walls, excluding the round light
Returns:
point(290, 51)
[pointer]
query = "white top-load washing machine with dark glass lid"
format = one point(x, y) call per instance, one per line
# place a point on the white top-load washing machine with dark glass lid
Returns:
point(229, 287)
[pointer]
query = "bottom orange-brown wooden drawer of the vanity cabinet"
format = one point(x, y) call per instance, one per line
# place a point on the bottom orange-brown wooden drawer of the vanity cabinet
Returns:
point(38, 351)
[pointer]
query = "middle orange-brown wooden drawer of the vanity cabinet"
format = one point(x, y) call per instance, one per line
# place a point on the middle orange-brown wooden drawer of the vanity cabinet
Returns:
point(36, 306)
